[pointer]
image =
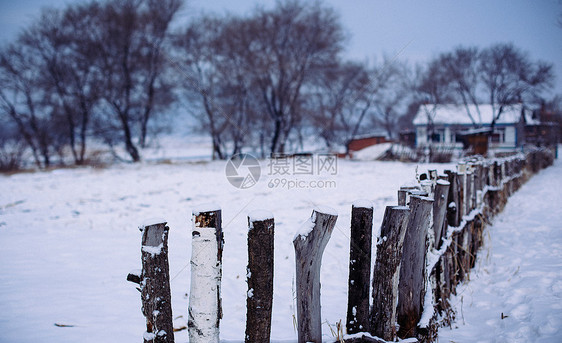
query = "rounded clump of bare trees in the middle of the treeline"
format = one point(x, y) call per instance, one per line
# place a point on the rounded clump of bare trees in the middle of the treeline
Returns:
point(246, 76)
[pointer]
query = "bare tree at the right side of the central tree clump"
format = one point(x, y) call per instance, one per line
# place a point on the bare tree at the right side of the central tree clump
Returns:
point(285, 47)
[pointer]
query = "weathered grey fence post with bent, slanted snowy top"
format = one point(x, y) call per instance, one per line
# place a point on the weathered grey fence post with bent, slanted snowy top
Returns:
point(310, 242)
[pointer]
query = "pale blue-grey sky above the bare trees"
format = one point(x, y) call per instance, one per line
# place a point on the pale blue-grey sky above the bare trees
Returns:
point(416, 30)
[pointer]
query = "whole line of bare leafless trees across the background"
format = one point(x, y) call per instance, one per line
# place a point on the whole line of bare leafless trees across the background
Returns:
point(109, 71)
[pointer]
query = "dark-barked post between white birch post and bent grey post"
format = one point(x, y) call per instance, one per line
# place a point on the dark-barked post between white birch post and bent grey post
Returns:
point(261, 228)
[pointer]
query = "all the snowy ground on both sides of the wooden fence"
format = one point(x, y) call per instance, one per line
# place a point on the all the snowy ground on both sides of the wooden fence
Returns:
point(69, 237)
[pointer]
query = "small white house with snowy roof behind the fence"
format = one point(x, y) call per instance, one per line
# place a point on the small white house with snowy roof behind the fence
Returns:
point(445, 124)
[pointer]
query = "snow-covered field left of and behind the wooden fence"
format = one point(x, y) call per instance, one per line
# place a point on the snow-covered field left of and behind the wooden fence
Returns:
point(69, 237)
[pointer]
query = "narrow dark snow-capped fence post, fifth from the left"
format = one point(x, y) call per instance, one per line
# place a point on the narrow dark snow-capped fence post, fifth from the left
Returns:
point(359, 267)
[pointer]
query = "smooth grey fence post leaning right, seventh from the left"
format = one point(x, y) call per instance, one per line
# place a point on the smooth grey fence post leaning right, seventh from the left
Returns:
point(411, 288)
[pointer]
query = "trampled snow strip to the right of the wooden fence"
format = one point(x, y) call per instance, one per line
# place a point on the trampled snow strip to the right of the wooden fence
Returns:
point(515, 291)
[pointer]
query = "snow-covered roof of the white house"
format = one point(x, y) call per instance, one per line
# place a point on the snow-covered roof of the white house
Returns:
point(458, 115)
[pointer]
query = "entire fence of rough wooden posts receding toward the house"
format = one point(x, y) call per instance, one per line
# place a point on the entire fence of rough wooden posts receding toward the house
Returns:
point(427, 246)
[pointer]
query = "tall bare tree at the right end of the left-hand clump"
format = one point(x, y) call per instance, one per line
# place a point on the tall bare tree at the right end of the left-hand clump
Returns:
point(131, 35)
